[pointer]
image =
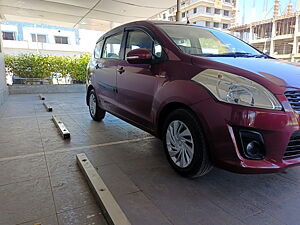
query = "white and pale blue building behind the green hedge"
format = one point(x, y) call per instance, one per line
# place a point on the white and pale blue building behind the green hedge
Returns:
point(44, 39)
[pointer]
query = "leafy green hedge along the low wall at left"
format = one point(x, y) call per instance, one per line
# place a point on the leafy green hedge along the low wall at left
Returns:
point(44, 66)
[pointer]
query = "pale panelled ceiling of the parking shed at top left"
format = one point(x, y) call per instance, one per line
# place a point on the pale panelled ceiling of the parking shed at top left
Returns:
point(87, 14)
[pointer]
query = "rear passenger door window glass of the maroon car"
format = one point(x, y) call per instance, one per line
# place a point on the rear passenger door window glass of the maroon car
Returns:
point(112, 47)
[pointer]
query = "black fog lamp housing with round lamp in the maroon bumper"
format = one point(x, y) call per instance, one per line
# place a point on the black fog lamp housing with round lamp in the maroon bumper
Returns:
point(252, 144)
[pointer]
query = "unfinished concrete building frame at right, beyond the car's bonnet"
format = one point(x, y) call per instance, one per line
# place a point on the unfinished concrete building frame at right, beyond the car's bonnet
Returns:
point(279, 36)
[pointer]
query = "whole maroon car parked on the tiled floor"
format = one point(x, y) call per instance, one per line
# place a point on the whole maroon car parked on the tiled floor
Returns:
point(211, 98)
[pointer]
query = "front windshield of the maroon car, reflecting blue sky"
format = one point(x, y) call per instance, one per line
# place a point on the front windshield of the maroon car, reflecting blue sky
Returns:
point(208, 42)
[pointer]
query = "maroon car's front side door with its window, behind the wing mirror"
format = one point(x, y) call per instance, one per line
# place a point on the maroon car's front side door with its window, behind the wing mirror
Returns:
point(137, 83)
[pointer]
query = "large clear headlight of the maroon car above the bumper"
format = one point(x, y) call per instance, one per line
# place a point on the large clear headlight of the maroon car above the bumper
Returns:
point(234, 89)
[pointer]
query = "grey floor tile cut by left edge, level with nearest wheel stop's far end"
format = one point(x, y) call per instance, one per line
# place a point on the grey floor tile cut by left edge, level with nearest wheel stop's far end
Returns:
point(22, 169)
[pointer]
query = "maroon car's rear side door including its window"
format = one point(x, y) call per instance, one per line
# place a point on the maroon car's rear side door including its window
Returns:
point(105, 70)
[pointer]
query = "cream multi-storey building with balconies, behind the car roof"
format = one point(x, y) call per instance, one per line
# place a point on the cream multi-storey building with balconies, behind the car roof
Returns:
point(218, 14)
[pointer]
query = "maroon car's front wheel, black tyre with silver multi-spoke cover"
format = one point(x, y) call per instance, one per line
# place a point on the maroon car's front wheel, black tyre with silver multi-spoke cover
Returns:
point(184, 144)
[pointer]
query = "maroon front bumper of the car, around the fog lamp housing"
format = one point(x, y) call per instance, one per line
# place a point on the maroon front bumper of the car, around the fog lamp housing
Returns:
point(219, 121)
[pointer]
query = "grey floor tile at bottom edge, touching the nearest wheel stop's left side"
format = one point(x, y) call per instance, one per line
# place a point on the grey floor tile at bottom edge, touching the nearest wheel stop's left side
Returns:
point(86, 215)
